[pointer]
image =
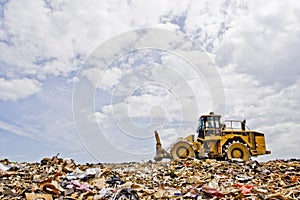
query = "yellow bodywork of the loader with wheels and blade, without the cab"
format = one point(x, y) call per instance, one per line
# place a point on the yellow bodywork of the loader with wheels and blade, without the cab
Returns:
point(228, 143)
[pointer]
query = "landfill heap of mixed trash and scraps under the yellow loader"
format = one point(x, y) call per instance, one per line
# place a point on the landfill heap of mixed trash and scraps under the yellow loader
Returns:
point(57, 178)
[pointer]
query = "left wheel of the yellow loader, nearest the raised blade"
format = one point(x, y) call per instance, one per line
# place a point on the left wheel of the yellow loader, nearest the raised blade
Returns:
point(182, 150)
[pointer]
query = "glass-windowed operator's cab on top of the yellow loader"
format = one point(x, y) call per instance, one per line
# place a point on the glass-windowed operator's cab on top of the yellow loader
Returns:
point(209, 125)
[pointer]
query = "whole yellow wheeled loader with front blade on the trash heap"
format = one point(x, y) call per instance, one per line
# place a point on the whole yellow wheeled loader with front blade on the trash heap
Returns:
point(213, 139)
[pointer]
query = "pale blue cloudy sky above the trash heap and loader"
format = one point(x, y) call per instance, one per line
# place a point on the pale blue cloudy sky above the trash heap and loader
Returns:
point(46, 45)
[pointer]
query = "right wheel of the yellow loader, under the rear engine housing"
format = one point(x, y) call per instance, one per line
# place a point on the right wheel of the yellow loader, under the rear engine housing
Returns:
point(238, 151)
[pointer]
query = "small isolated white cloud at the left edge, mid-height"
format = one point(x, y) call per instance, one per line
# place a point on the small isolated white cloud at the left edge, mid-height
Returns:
point(18, 88)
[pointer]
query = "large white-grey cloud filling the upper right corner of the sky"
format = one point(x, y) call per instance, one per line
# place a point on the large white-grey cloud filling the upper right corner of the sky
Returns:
point(264, 42)
